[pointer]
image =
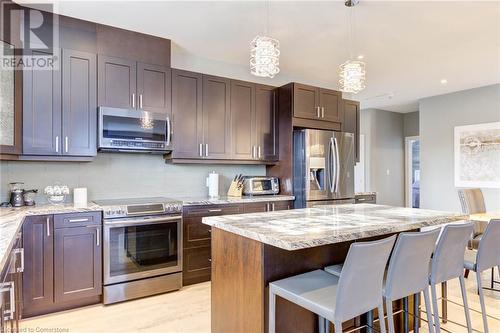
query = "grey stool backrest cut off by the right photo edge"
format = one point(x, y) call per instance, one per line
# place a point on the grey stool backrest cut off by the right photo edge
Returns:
point(488, 253)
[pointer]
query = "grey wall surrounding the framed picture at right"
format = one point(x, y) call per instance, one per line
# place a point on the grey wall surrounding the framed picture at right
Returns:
point(438, 117)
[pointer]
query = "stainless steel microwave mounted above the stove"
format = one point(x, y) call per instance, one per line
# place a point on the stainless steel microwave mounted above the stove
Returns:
point(136, 131)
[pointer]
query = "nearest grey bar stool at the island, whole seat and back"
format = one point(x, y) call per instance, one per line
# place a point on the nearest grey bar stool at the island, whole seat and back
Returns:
point(334, 299)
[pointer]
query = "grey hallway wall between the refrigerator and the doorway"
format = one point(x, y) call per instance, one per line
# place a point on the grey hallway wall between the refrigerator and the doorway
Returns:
point(384, 149)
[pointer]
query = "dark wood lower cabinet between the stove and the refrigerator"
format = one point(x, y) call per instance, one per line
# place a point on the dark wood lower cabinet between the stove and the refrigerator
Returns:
point(197, 250)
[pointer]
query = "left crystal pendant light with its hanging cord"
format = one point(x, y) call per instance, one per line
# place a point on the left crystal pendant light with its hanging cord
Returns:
point(264, 53)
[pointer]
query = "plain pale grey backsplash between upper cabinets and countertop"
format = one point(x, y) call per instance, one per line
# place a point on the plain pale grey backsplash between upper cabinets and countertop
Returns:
point(121, 176)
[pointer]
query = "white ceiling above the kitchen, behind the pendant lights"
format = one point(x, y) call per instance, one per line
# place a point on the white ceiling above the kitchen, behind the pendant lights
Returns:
point(408, 46)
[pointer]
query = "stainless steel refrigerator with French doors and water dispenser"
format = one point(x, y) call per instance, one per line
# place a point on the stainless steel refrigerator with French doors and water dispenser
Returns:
point(323, 167)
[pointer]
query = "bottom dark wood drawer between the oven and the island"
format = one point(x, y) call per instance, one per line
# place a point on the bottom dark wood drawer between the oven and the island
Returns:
point(197, 265)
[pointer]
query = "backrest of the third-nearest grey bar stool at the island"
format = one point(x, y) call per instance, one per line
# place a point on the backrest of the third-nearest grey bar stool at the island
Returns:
point(448, 259)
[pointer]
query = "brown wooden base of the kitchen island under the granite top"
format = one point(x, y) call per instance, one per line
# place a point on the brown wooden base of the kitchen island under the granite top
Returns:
point(241, 271)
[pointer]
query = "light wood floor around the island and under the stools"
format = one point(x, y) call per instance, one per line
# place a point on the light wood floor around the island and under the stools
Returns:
point(188, 311)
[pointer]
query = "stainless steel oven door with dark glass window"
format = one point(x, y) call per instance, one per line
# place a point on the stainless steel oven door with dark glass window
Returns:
point(136, 248)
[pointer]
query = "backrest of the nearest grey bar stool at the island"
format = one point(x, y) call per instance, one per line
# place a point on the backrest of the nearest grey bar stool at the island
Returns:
point(361, 280)
